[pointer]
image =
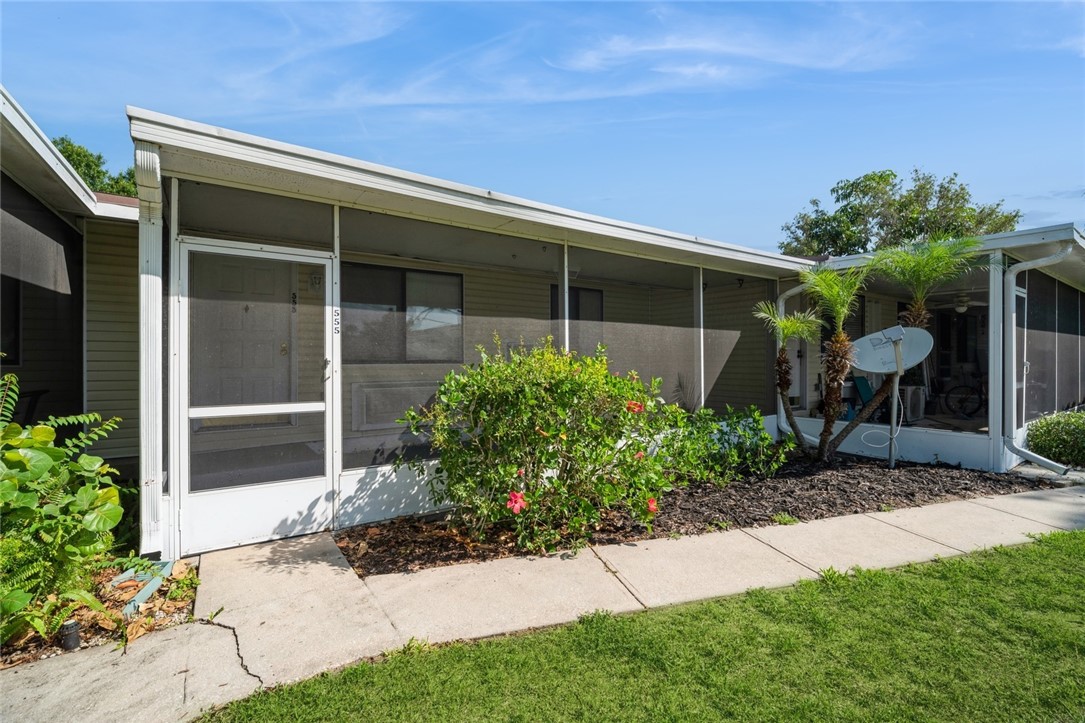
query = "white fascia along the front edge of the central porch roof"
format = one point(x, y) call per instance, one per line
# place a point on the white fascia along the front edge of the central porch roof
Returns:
point(171, 132)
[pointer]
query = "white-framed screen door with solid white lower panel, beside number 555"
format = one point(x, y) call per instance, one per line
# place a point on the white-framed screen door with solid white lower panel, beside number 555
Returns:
point(256, 379)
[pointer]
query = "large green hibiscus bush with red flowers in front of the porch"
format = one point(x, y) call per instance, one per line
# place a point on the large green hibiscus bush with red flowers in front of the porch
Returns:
point(543, 441)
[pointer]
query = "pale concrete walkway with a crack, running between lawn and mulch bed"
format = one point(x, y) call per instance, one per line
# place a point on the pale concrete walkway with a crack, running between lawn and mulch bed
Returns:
point(287, 611)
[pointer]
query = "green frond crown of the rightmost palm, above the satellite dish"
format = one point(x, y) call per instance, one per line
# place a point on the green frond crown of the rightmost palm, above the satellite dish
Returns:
point(921, 267)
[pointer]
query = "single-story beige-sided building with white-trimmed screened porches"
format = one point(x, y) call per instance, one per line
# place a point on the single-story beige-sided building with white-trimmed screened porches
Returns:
point(264, 313)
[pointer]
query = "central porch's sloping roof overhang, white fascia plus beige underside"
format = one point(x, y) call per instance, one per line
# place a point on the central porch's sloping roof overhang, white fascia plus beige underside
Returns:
point(203, 153)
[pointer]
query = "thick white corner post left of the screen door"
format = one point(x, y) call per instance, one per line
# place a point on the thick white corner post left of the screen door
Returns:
point(149, 185)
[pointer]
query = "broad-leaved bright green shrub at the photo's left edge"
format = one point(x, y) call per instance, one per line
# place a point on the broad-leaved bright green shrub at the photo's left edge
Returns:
point(58, 508)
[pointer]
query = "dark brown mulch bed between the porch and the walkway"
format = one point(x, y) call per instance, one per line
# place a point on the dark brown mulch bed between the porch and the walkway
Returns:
point(801, 490)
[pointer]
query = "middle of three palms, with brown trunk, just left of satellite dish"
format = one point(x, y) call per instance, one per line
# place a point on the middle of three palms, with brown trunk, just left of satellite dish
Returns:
point(837, 296)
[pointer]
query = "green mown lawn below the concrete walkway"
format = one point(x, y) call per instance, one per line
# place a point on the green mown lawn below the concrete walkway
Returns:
point(997, 636)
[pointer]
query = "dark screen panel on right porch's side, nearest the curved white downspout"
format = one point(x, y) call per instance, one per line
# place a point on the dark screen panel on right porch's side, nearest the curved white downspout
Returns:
point(1041, 358)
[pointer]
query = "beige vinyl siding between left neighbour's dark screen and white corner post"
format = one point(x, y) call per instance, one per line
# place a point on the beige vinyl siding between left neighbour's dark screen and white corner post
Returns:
point(112, 273)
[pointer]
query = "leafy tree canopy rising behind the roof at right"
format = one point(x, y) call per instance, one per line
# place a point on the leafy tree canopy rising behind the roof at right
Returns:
point(877, 211)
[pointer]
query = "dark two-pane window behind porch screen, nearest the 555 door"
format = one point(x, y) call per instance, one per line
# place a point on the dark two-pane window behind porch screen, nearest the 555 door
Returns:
point(394, 315)
